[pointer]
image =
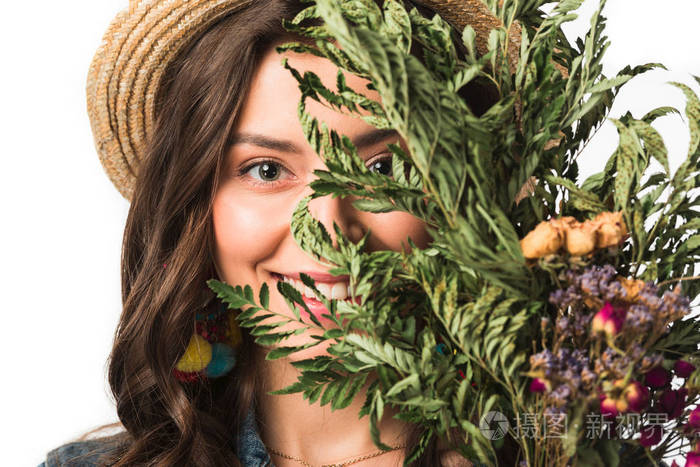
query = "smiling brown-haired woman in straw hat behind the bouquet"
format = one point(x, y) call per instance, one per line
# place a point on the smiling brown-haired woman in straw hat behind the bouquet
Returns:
point(191, 96)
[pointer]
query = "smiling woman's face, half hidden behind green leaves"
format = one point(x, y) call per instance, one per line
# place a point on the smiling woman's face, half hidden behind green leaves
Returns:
point(268, 170)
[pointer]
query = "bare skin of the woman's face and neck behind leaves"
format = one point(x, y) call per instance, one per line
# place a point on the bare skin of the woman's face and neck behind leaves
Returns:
point(269, 167)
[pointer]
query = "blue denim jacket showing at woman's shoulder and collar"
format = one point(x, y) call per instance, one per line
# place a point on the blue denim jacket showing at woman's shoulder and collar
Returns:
point(251, 450)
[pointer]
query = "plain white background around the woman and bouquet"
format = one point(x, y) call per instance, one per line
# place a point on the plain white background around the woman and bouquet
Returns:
point(62, 220)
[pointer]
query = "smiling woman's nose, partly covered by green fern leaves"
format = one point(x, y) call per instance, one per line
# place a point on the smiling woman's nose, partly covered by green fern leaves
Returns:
point(328, 209)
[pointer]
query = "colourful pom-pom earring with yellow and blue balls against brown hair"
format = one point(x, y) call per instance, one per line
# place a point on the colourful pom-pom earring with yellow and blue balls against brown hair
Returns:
point(211, 352)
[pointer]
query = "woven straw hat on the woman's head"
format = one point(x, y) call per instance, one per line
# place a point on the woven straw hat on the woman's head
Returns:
point(127, 69)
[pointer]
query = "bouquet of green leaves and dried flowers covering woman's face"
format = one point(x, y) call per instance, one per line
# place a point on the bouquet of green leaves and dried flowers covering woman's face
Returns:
point(560, 317)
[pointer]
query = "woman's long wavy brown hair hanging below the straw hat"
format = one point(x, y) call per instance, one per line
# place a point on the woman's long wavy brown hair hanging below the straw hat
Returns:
point(167, 254)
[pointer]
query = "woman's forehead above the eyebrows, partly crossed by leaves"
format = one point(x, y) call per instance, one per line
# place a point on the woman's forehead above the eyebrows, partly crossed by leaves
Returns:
point(273, 97)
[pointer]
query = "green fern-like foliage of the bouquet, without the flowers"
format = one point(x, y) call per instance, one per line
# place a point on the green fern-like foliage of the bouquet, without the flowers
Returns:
point(443, 334)
